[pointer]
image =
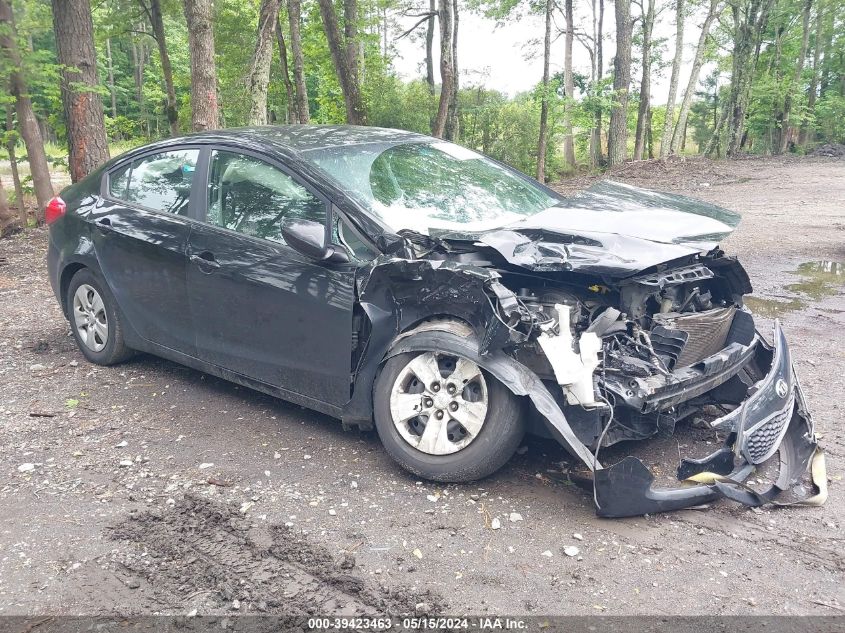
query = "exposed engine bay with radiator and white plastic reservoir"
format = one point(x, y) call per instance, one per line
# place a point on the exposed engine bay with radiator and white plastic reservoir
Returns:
point(626, 347)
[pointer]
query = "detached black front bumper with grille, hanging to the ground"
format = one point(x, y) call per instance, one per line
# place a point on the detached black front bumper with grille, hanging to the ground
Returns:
point(773, 417)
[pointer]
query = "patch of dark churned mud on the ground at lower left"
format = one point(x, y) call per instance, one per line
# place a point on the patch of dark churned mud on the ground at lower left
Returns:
point(201, 549)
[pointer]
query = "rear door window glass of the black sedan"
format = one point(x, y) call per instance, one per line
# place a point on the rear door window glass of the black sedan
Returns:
point(161, 182)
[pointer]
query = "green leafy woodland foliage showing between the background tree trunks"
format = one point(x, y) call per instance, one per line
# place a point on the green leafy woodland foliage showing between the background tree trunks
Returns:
point(504, 127)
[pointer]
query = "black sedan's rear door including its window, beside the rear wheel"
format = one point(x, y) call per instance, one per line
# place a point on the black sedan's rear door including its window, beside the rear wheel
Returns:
point(140, 236)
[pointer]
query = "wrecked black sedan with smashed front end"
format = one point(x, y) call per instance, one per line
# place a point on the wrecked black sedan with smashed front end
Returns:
point(400, 282)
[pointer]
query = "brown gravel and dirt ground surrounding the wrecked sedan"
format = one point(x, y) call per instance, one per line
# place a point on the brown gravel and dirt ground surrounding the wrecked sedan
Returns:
point(152, 488)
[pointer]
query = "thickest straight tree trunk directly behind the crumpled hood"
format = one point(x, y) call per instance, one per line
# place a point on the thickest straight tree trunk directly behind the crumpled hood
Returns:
point(617, 137)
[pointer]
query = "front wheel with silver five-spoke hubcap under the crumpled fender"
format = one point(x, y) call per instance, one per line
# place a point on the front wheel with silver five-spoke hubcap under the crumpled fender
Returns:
point(443, 418)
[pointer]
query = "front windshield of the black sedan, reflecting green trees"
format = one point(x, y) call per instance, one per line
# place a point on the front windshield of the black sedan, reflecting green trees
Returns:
point(432, 187)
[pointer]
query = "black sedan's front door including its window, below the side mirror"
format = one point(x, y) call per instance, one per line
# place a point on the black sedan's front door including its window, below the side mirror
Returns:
point(260, 308)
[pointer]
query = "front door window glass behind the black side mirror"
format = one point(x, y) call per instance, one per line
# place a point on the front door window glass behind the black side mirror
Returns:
point(252, 197)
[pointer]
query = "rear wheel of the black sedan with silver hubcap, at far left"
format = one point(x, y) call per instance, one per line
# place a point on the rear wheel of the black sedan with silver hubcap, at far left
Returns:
point(108, 349)
